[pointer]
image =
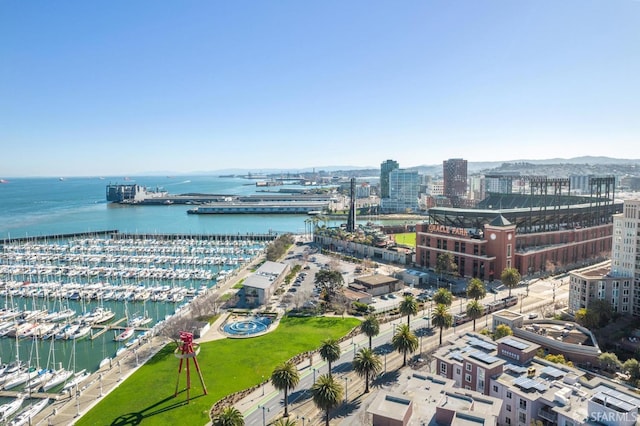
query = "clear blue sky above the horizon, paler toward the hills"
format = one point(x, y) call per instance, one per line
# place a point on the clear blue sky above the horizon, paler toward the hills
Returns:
point(126, 87)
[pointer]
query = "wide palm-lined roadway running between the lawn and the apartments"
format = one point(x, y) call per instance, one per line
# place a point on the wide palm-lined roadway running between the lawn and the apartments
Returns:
point(265, 404)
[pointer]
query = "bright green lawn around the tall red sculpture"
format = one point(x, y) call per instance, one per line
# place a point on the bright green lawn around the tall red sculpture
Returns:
point(228, 365)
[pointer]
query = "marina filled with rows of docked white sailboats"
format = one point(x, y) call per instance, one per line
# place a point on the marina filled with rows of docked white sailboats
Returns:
point(72, 305)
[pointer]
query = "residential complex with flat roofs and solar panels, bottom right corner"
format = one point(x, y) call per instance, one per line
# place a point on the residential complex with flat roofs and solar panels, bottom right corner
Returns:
point(532, 389)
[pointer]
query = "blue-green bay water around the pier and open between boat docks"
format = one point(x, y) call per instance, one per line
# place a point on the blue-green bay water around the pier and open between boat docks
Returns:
point(38, 207)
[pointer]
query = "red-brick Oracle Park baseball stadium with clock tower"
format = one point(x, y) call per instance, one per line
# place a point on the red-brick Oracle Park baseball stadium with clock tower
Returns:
point(543, 232)
